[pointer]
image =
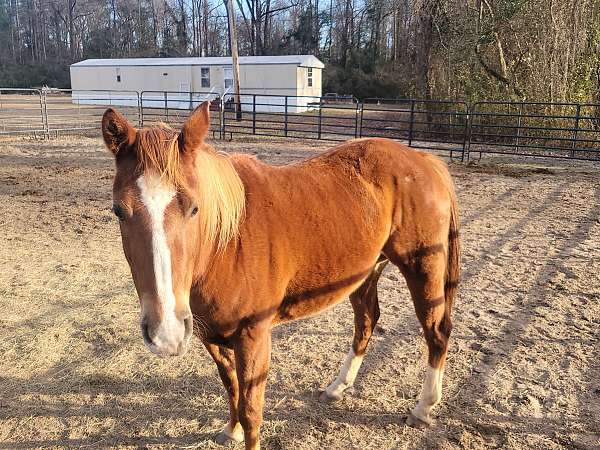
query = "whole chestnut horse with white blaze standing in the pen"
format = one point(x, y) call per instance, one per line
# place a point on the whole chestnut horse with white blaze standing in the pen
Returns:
point(228, 247)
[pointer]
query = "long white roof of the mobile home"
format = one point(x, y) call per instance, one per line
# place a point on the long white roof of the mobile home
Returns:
point(299, 60)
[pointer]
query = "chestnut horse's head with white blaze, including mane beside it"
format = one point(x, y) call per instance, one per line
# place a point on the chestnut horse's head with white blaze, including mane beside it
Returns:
point(163, 198)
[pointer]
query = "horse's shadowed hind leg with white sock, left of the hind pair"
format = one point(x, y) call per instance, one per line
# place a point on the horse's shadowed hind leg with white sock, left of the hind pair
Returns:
point(366, 313)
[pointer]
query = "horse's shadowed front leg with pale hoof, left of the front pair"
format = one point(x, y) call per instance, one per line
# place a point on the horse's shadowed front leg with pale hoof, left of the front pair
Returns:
point(225, 360)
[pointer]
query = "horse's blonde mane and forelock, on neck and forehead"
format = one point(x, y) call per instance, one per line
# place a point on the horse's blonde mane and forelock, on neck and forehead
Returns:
point(221, 194)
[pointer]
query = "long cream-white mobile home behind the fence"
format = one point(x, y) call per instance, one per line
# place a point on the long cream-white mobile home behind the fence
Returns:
point(190, 80)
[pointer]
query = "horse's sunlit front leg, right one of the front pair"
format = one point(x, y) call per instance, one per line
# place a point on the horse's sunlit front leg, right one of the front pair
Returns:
point(252, 356)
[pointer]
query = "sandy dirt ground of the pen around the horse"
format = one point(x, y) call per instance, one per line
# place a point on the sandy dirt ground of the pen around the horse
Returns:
point(523, 369)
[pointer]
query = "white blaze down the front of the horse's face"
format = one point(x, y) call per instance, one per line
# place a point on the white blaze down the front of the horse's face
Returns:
point(156, 196)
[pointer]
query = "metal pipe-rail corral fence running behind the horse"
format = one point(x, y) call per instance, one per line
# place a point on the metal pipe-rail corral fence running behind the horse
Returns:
point(457, 128)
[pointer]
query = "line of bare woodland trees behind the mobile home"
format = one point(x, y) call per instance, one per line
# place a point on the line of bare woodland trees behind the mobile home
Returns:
point(542, 50)
